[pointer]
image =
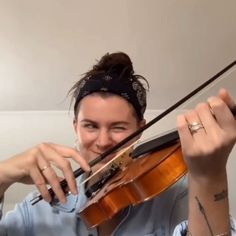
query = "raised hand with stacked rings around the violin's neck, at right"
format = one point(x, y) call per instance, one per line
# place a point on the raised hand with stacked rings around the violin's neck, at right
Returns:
point(206, 149)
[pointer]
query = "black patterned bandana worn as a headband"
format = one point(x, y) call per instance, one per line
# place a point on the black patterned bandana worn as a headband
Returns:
point(131, 90)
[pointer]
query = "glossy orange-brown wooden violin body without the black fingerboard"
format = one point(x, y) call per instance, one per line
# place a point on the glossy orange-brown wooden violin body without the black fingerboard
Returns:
point(141, 180)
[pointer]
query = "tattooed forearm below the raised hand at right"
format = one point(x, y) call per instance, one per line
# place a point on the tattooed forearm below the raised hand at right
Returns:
point(209, 206)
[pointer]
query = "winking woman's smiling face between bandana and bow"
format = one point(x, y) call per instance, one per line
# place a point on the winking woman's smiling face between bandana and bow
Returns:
point(102, 122)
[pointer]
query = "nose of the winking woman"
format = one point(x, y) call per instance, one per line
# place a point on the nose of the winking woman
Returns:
point(104, 140)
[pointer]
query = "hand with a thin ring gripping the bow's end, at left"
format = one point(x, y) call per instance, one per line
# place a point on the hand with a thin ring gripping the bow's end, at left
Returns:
point(34, 166)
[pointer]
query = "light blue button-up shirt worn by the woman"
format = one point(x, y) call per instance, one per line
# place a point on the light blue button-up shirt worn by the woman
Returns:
point(158, 216)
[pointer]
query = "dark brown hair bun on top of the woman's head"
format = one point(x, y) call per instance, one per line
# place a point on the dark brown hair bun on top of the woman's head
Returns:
point(118, 62)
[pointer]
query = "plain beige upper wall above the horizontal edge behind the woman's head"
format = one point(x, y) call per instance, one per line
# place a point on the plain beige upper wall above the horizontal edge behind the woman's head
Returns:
point(46, 44)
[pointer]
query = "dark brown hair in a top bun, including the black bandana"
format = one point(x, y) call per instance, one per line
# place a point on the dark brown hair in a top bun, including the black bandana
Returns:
point(117, 66)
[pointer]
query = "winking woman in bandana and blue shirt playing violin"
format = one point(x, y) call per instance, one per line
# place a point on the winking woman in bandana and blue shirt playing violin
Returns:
point(109, 104)
